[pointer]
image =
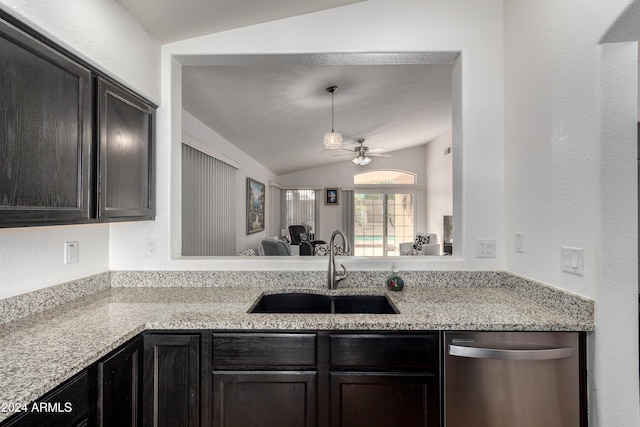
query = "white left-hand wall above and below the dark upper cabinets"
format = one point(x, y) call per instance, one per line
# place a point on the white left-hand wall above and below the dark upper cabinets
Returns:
point(101, 33)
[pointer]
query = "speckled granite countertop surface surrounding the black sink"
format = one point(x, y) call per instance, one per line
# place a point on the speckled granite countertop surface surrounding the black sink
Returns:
point(40, 351)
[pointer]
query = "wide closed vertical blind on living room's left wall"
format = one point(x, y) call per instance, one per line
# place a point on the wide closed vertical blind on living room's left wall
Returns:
point(208, 205)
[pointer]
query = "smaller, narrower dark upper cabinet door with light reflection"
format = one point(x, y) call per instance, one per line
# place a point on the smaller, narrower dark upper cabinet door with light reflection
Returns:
point(125, 154)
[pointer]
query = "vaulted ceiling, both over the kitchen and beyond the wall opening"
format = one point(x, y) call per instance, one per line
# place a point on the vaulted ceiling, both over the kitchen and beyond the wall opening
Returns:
point(277, 109)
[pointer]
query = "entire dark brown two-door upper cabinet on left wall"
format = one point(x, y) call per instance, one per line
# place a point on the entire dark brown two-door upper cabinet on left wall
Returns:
point(75, 146)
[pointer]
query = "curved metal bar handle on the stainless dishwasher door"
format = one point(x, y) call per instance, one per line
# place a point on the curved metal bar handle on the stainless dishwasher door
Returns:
point(511, 354)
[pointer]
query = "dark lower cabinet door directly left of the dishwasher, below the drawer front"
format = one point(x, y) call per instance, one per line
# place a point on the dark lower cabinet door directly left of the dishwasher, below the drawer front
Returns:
point(384, 399)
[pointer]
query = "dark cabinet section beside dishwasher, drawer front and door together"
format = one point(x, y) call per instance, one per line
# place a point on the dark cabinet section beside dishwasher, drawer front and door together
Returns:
point(384, 379)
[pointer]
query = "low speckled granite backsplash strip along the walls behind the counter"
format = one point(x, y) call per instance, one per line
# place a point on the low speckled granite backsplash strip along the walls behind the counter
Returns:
point(23, 305)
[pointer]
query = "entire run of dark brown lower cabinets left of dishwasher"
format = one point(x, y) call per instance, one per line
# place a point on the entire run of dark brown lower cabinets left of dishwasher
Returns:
point(254, 379)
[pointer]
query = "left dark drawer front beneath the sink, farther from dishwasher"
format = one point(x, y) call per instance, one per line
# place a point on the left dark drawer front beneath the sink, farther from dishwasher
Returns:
point(257, 350)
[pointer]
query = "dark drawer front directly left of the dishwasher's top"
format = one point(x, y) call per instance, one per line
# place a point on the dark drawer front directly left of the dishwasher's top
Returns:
point(384, 351)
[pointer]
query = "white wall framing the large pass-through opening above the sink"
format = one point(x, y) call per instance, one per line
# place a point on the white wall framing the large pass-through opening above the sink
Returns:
point(372, 26)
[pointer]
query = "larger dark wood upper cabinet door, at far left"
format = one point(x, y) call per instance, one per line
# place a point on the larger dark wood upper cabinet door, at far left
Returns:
point(45, 133)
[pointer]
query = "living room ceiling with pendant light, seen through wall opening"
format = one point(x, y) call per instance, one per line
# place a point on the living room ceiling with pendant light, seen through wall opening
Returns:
point(278, 113)
